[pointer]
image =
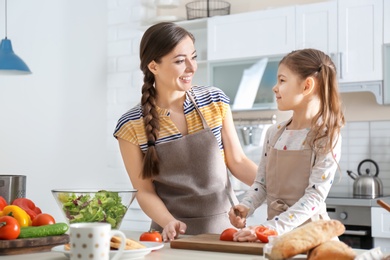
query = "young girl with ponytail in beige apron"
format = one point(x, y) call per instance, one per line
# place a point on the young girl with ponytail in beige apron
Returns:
point(300, 156)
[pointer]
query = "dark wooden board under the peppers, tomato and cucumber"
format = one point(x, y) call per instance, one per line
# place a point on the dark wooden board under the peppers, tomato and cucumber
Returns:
point(31, 245)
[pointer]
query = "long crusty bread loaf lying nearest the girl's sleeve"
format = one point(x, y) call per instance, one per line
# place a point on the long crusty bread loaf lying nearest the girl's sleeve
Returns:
point(304, 238)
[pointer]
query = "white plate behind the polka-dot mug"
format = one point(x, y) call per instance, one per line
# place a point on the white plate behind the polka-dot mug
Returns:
point(127, 254)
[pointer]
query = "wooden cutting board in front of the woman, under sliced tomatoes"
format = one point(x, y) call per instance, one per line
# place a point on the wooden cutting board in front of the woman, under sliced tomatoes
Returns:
point(211, 242)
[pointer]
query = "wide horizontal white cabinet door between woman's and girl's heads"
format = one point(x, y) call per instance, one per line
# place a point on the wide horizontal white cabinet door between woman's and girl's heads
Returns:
point(253, 34)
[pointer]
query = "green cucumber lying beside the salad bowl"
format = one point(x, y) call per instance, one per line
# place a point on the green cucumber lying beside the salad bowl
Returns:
point(43, 231)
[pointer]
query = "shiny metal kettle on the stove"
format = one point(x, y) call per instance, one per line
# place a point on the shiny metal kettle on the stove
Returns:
point(366, 185)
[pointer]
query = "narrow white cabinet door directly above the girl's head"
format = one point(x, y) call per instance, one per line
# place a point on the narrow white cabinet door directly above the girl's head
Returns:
point(316, 27)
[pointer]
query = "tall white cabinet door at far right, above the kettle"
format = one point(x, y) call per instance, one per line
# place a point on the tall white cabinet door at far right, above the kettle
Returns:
point(360, 40)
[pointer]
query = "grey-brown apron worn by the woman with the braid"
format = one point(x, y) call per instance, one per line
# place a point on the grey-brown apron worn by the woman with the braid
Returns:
point(192, 181)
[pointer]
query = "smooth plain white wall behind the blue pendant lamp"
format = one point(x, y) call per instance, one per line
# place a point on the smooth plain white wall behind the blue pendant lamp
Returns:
point(53, 123)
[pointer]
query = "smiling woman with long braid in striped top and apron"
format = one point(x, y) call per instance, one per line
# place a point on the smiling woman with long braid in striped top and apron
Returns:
point(179, 141)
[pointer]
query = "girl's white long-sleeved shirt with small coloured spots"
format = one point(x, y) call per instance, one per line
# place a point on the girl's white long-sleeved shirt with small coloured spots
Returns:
point(322, 176)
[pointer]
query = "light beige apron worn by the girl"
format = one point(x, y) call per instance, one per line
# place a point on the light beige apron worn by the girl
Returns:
point(287, 176)
